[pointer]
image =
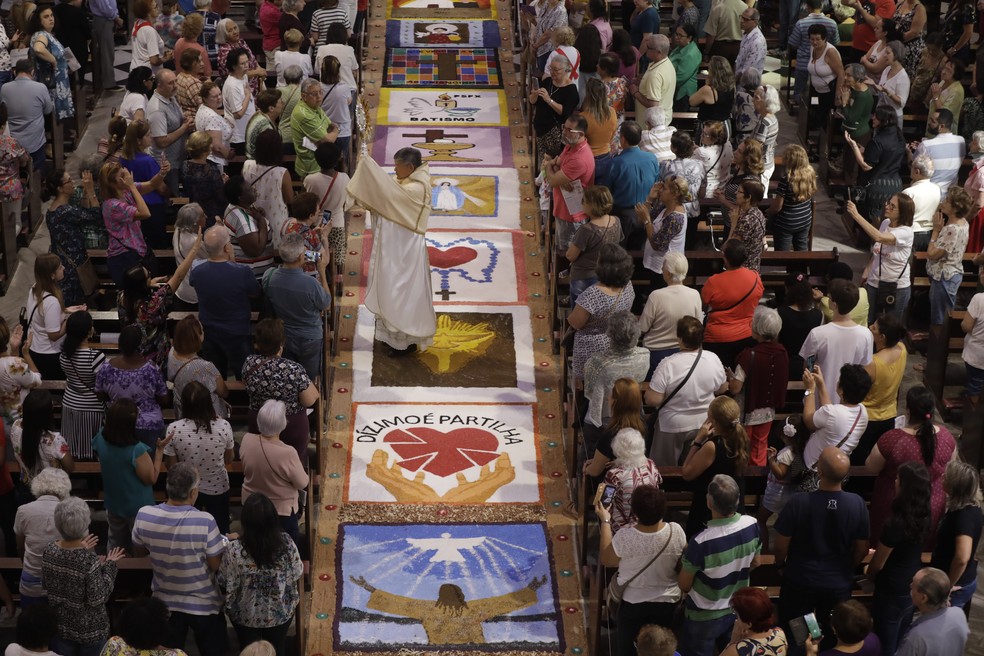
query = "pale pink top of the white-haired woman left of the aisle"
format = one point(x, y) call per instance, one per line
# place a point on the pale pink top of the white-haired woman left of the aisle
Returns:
point(273, 468)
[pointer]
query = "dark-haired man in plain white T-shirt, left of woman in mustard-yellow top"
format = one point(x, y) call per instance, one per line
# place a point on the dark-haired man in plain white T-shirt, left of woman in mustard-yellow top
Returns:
point(841, 341)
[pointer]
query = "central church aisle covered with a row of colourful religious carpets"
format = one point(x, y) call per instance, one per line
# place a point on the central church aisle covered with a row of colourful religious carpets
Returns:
point(441, 523)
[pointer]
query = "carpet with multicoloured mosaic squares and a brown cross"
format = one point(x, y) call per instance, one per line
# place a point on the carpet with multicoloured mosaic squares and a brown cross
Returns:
point(476, 68)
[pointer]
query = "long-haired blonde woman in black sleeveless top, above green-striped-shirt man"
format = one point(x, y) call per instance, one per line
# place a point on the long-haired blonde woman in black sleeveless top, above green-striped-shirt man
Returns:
point(720, 447)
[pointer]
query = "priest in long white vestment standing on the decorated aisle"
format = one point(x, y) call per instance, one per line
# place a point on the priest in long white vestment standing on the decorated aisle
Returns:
point(400, 292)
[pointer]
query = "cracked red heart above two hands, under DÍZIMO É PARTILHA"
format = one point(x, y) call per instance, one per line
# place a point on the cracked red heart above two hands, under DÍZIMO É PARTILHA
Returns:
point(440, 453)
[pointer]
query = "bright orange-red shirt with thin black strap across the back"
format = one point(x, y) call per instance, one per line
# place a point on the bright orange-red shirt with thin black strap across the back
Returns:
point(727, 322)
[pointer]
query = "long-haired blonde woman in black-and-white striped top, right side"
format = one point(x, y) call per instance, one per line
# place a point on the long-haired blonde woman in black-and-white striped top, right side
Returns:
point(791, 211)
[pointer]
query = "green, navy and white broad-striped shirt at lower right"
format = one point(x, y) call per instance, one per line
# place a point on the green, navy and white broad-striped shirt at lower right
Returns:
point(721, 557)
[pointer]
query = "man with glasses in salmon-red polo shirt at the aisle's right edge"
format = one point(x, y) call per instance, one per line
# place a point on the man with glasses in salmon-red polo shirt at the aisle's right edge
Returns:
point(569, 174)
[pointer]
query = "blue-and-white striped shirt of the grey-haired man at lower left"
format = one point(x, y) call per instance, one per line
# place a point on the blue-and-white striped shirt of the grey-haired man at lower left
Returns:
point(180, 539)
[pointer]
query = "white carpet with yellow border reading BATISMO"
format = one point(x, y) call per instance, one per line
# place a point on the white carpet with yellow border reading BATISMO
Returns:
point(442, 107)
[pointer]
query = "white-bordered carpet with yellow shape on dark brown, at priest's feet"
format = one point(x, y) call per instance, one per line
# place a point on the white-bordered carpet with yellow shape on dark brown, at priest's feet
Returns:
point(480, 354)
